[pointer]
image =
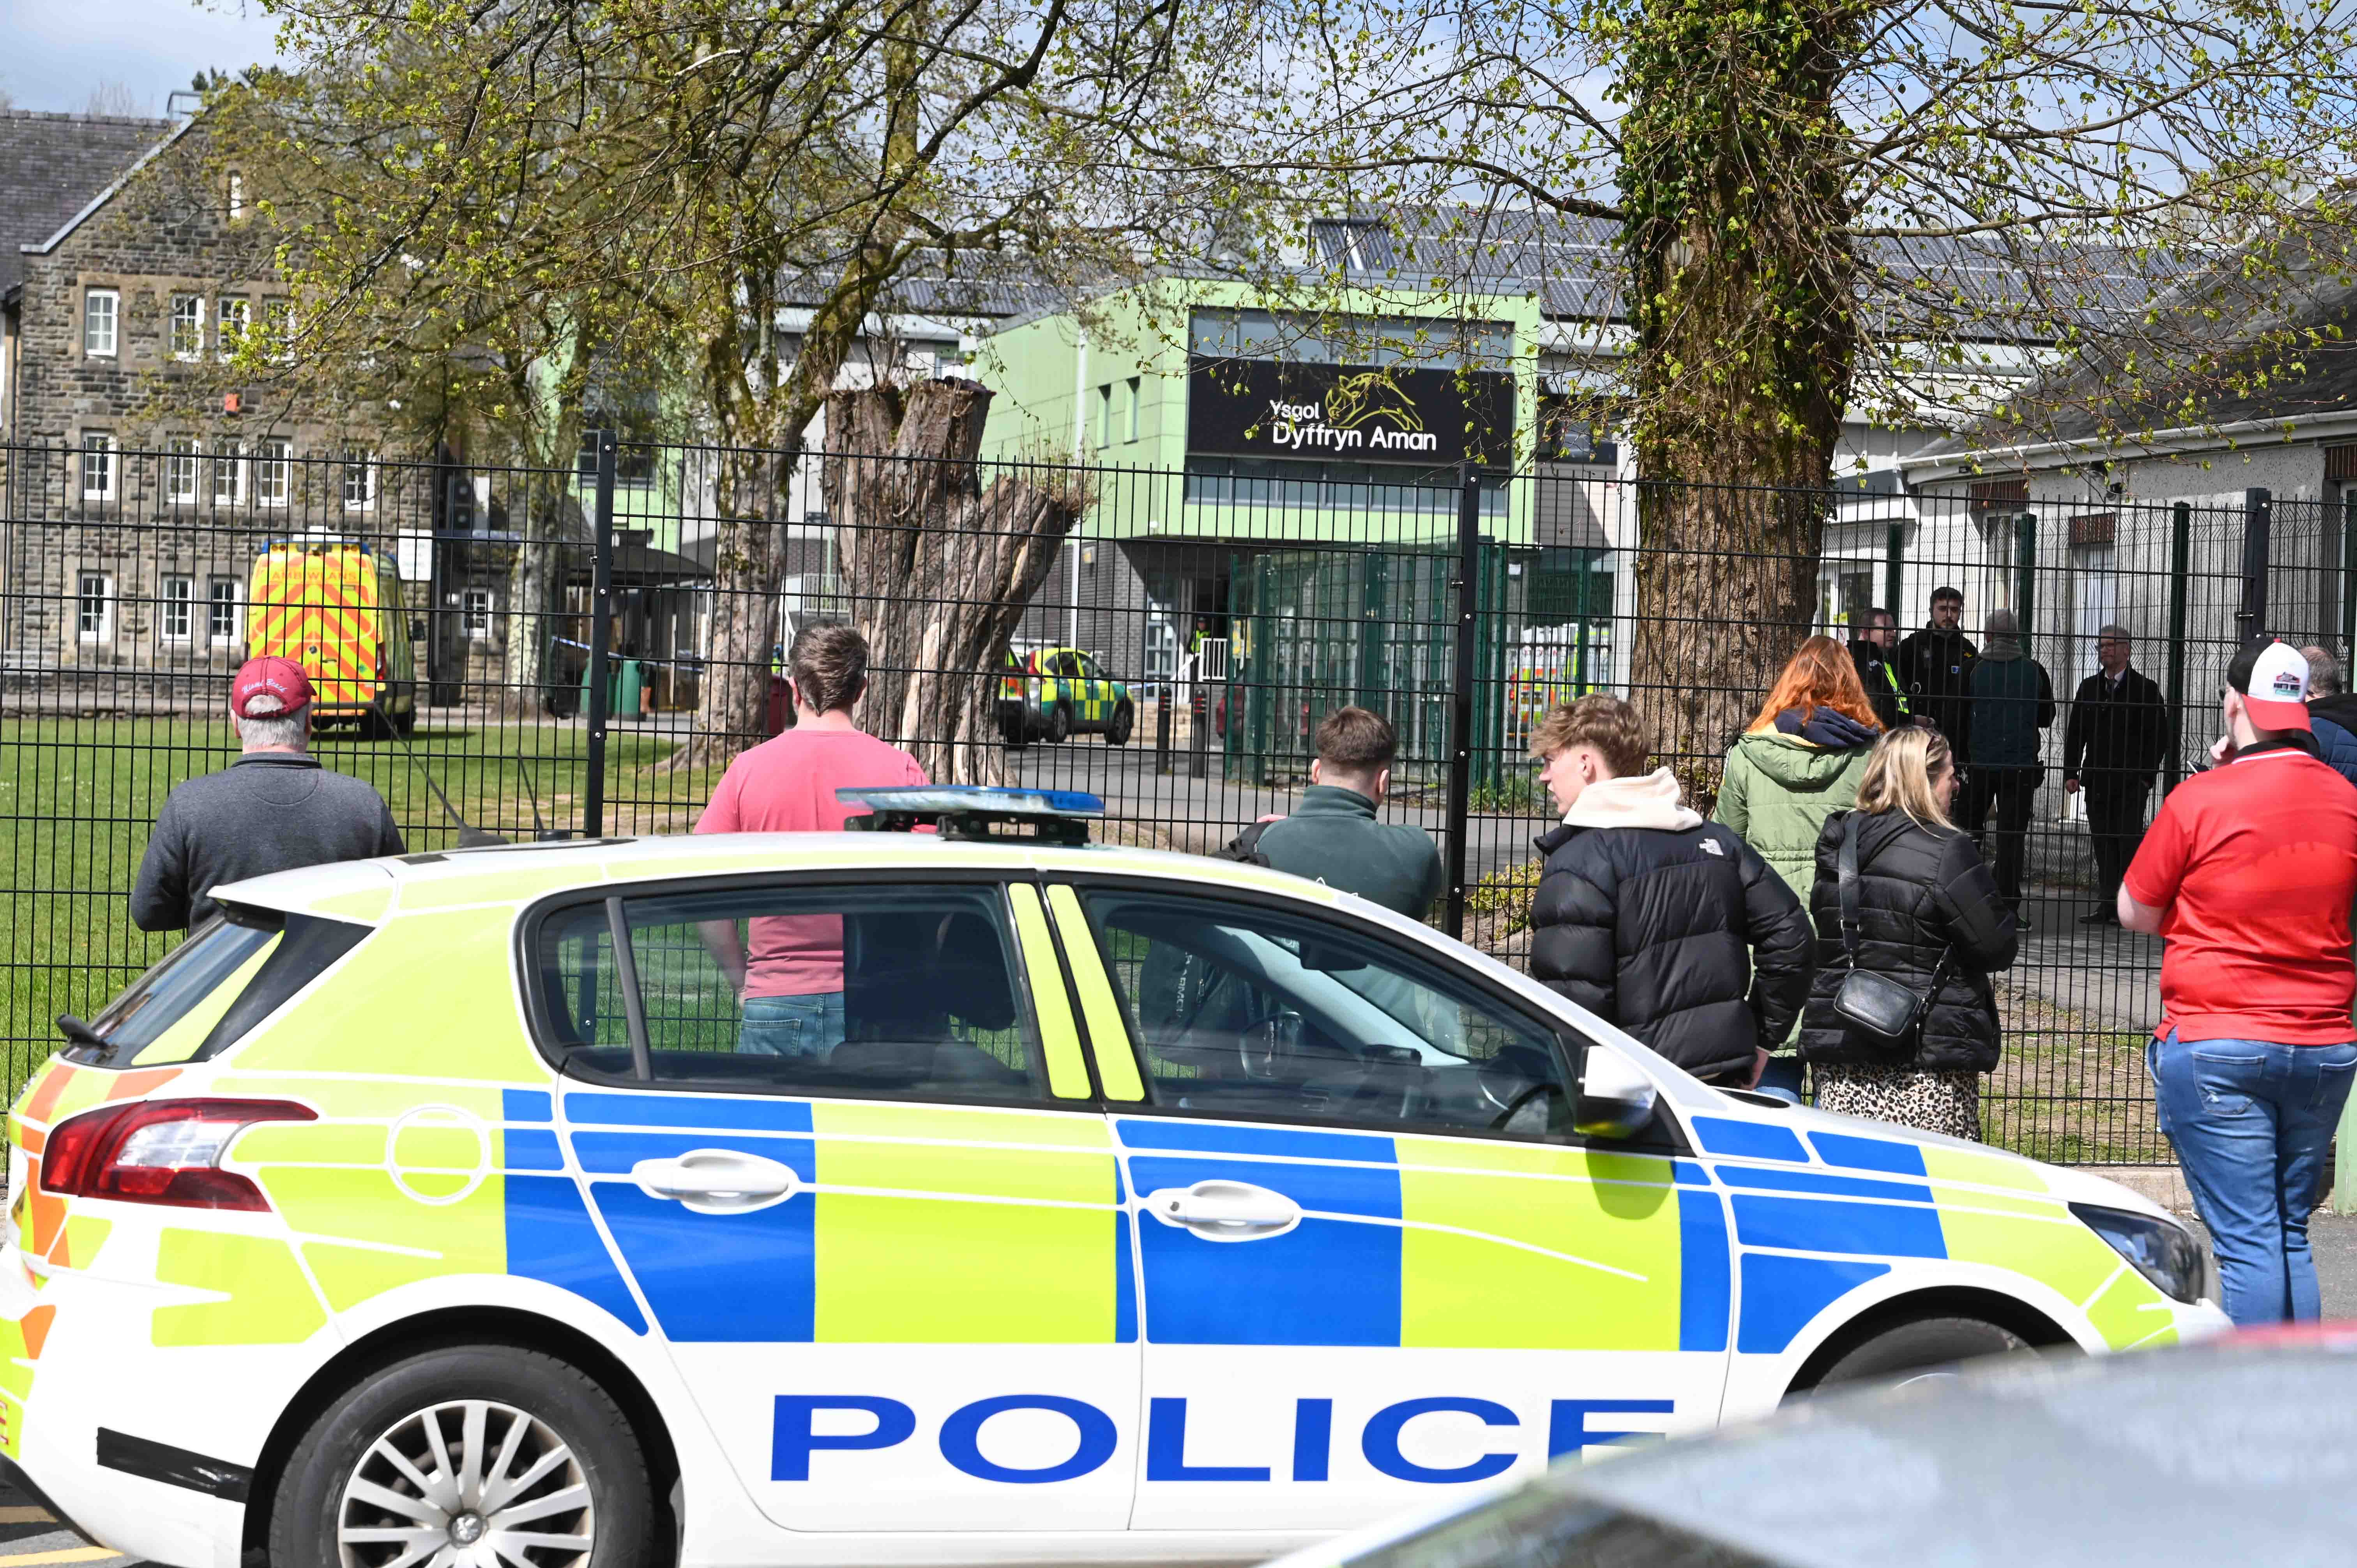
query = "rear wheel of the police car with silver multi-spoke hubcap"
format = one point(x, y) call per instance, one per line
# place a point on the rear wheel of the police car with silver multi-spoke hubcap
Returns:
point(468, 1456)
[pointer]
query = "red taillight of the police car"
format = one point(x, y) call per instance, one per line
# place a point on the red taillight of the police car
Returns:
point(161, 1152)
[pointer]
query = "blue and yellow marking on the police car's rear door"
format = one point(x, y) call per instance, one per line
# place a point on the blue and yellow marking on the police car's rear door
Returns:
point(916, 1225)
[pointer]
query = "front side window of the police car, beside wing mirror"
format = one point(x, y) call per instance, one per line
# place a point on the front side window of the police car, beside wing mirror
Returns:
point(1243, 1010)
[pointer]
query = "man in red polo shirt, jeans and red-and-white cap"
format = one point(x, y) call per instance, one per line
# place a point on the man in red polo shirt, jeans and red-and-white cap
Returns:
point(2247, 874)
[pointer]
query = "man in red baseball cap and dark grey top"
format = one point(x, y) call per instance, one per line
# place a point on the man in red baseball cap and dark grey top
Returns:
point(272, 810)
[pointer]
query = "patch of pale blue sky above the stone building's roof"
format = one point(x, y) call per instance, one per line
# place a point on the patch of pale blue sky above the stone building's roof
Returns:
point(58, 53)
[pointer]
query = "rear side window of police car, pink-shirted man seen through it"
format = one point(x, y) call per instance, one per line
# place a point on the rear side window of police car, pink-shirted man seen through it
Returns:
point(899, 991)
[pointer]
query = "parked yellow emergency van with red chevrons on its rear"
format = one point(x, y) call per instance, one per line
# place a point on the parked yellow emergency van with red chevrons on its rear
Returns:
point(336, 610)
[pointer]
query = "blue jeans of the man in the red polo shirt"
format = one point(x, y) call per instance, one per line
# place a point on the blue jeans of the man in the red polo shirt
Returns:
point(2252, 1124)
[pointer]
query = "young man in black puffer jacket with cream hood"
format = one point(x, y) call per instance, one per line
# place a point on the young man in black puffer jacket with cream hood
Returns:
point(1653, 918)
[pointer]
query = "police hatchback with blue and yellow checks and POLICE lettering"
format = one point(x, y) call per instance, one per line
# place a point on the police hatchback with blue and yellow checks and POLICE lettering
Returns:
point(930, 1199)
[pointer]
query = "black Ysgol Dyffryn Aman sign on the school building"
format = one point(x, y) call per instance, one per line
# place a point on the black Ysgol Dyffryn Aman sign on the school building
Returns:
point(1352, 414)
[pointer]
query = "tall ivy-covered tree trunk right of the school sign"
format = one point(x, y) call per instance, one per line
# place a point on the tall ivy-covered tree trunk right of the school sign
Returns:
point(1745, 296)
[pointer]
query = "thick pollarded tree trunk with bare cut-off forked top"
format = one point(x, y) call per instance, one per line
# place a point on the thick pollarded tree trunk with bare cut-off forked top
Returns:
point(937, 565)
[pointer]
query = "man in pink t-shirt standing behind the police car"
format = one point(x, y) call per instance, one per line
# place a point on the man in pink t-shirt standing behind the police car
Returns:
point(793, 977)
